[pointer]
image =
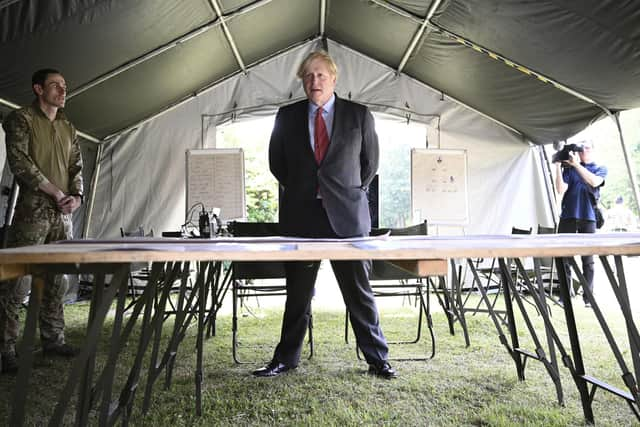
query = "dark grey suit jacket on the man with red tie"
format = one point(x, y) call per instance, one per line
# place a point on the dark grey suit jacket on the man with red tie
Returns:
point(343, 177)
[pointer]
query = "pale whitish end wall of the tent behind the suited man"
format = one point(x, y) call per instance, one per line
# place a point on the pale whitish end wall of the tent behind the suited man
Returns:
point(139, 176)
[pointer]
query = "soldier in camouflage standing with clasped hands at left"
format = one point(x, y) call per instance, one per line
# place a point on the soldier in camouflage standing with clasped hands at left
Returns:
point(44, 155)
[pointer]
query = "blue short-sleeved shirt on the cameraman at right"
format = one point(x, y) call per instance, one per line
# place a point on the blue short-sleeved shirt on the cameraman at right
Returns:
point(577, 202)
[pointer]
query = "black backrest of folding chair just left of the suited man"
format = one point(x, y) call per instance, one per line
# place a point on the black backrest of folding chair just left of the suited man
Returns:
point(245, 270)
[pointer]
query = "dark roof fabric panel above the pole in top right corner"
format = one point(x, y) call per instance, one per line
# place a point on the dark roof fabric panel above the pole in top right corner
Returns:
point(592, 46)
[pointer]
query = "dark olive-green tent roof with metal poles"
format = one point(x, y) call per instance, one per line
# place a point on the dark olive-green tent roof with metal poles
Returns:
point(545, 69)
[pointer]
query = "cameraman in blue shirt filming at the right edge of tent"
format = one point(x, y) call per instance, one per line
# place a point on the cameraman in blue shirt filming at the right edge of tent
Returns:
point(578, 181)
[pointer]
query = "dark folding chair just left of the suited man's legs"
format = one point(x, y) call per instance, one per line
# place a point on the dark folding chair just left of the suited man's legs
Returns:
point(244, 274)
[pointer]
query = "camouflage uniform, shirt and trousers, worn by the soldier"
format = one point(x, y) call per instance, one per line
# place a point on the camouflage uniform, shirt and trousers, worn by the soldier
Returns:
point(39, 150)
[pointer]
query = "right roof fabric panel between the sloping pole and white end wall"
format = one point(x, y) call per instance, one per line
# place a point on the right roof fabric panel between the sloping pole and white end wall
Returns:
point(536, 109)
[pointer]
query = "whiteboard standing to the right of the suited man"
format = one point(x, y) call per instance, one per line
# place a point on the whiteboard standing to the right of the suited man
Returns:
point(439, 186)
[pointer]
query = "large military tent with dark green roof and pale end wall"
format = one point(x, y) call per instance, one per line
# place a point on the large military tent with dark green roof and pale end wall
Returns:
point(496, 78)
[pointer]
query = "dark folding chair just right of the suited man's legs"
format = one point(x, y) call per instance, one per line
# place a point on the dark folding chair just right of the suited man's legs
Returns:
point(388, 280)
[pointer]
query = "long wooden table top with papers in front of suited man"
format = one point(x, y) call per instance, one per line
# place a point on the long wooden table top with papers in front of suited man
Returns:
point(282, 249)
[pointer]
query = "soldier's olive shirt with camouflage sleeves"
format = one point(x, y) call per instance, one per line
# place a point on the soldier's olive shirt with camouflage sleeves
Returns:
point(39, 150)
